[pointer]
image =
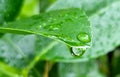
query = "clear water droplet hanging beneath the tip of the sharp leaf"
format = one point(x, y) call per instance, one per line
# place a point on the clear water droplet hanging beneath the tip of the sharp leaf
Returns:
point(79, 51)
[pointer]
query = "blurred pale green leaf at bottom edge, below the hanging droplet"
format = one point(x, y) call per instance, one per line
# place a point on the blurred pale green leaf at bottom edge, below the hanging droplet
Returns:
point(84, 69)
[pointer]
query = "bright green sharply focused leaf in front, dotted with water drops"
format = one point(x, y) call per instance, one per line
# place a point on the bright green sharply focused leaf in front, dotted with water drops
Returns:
point(66, 25)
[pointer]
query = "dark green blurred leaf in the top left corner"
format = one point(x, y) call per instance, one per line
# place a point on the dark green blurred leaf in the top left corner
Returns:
point(9, 9)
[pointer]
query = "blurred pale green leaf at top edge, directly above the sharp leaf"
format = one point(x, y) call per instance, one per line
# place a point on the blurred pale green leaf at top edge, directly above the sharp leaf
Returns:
point(89, 6)
